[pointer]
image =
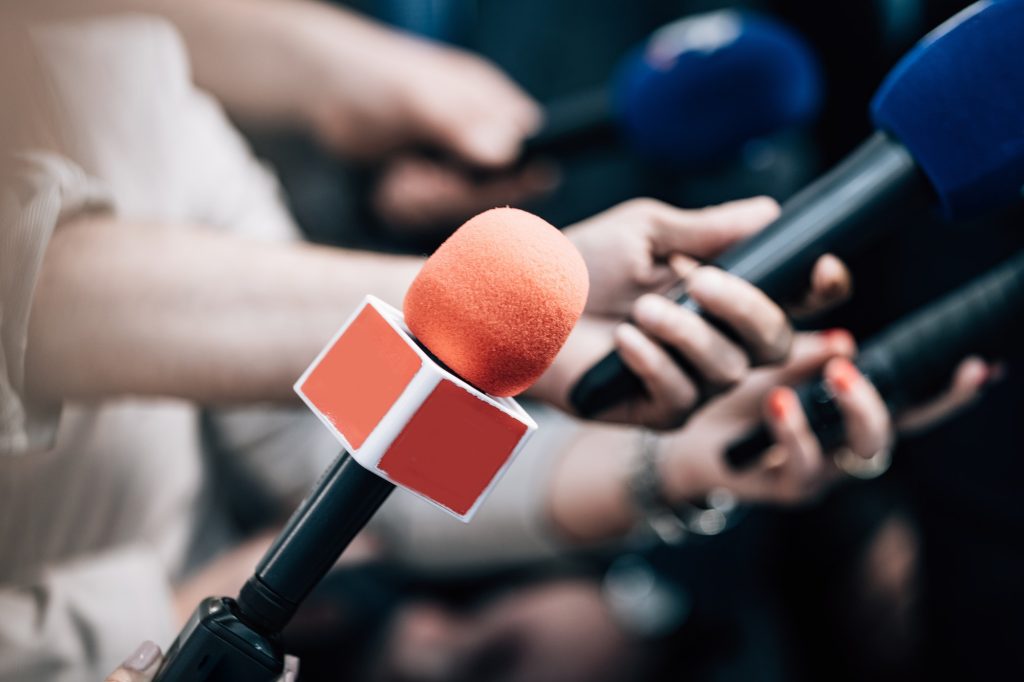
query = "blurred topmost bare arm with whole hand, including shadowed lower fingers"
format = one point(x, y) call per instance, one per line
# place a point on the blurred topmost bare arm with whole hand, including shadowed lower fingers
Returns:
point(365, 92)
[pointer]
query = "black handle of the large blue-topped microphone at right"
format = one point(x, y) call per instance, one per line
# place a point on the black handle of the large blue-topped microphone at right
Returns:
point(843, 210)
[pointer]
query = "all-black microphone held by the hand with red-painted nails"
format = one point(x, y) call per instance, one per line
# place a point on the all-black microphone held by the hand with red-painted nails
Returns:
point(914, 358)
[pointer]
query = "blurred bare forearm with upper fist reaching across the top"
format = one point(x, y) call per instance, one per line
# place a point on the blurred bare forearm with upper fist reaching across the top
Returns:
point(363, 89)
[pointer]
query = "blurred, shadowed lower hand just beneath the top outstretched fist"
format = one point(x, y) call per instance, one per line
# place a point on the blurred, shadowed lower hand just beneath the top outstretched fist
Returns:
point(416, 195)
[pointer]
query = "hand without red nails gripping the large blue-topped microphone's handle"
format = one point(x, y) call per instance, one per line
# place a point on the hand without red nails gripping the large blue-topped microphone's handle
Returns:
point(645, 246)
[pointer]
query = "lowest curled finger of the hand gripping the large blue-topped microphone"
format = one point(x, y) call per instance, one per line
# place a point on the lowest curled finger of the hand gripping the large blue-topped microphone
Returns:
point(663, 379)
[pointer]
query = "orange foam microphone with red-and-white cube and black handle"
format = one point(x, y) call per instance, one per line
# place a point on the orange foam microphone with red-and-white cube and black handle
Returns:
point(426, 406)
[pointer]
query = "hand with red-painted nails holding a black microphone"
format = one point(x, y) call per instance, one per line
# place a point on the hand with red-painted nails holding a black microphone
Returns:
point(796, 470)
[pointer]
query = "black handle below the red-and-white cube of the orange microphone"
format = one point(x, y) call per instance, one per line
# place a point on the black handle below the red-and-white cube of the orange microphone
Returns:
point(340, 505)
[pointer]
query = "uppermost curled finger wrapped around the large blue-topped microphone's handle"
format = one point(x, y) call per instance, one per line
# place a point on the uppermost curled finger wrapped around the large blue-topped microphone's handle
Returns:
point(761, 324)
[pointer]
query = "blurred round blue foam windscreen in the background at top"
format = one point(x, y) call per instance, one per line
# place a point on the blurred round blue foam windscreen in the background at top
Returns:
point(705, 86)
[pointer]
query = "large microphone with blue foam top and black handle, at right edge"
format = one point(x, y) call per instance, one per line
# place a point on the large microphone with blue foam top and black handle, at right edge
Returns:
point(951, 133)
